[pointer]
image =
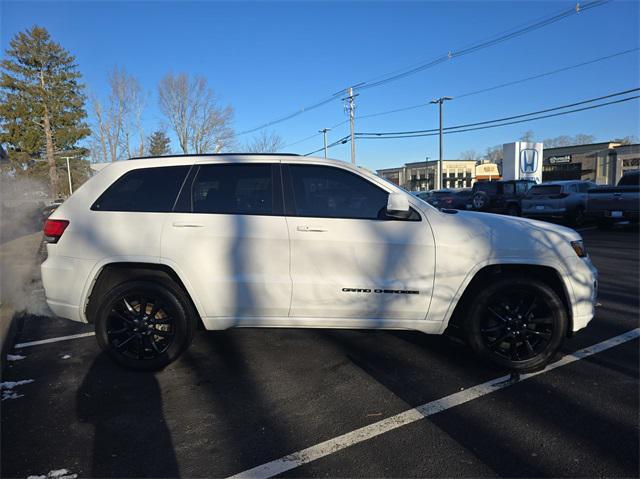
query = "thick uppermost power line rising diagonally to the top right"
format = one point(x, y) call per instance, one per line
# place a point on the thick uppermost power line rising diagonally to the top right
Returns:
point(499, 38)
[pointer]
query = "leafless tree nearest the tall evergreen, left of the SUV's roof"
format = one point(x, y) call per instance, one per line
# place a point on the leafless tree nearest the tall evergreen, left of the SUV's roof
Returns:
point(121, 119)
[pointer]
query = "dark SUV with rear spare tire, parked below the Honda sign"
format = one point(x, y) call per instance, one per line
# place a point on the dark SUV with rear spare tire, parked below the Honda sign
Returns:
point(500, 196)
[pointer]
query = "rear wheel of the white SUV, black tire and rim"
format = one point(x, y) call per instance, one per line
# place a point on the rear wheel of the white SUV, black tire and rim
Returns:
point(148, 337)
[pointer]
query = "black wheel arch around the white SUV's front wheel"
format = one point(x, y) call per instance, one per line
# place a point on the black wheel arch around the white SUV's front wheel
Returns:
point(489, 273)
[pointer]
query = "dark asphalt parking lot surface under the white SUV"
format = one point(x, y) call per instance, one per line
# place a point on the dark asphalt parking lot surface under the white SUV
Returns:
point(240, 399)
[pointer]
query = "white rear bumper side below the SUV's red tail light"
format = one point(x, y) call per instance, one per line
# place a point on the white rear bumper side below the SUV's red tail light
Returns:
point(64, 280)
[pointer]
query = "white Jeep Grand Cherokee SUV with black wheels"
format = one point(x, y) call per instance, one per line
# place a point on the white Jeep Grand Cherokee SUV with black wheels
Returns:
point(149, 248)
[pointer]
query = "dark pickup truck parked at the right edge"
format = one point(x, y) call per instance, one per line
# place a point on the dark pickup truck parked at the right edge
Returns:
point(608, 205)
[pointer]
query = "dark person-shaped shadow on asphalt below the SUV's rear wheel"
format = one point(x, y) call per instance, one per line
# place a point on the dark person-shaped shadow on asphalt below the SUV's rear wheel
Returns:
point(131, 437)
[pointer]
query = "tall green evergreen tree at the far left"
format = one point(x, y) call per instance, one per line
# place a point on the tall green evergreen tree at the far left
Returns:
point(41, 105)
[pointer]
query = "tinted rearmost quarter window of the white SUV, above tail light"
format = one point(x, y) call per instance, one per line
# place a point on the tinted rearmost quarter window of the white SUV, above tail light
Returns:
point(146, 189)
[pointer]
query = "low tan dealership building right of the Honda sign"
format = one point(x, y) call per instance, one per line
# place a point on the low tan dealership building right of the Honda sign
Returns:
point(603, 163)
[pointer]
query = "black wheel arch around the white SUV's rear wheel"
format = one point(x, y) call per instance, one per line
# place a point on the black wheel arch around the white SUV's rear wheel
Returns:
point(112, 274)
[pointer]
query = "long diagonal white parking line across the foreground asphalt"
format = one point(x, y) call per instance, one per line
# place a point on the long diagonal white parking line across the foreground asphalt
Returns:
point(336, 444)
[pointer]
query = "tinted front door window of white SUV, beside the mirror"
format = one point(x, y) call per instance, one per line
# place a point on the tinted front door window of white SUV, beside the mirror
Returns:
point(324, 191)
